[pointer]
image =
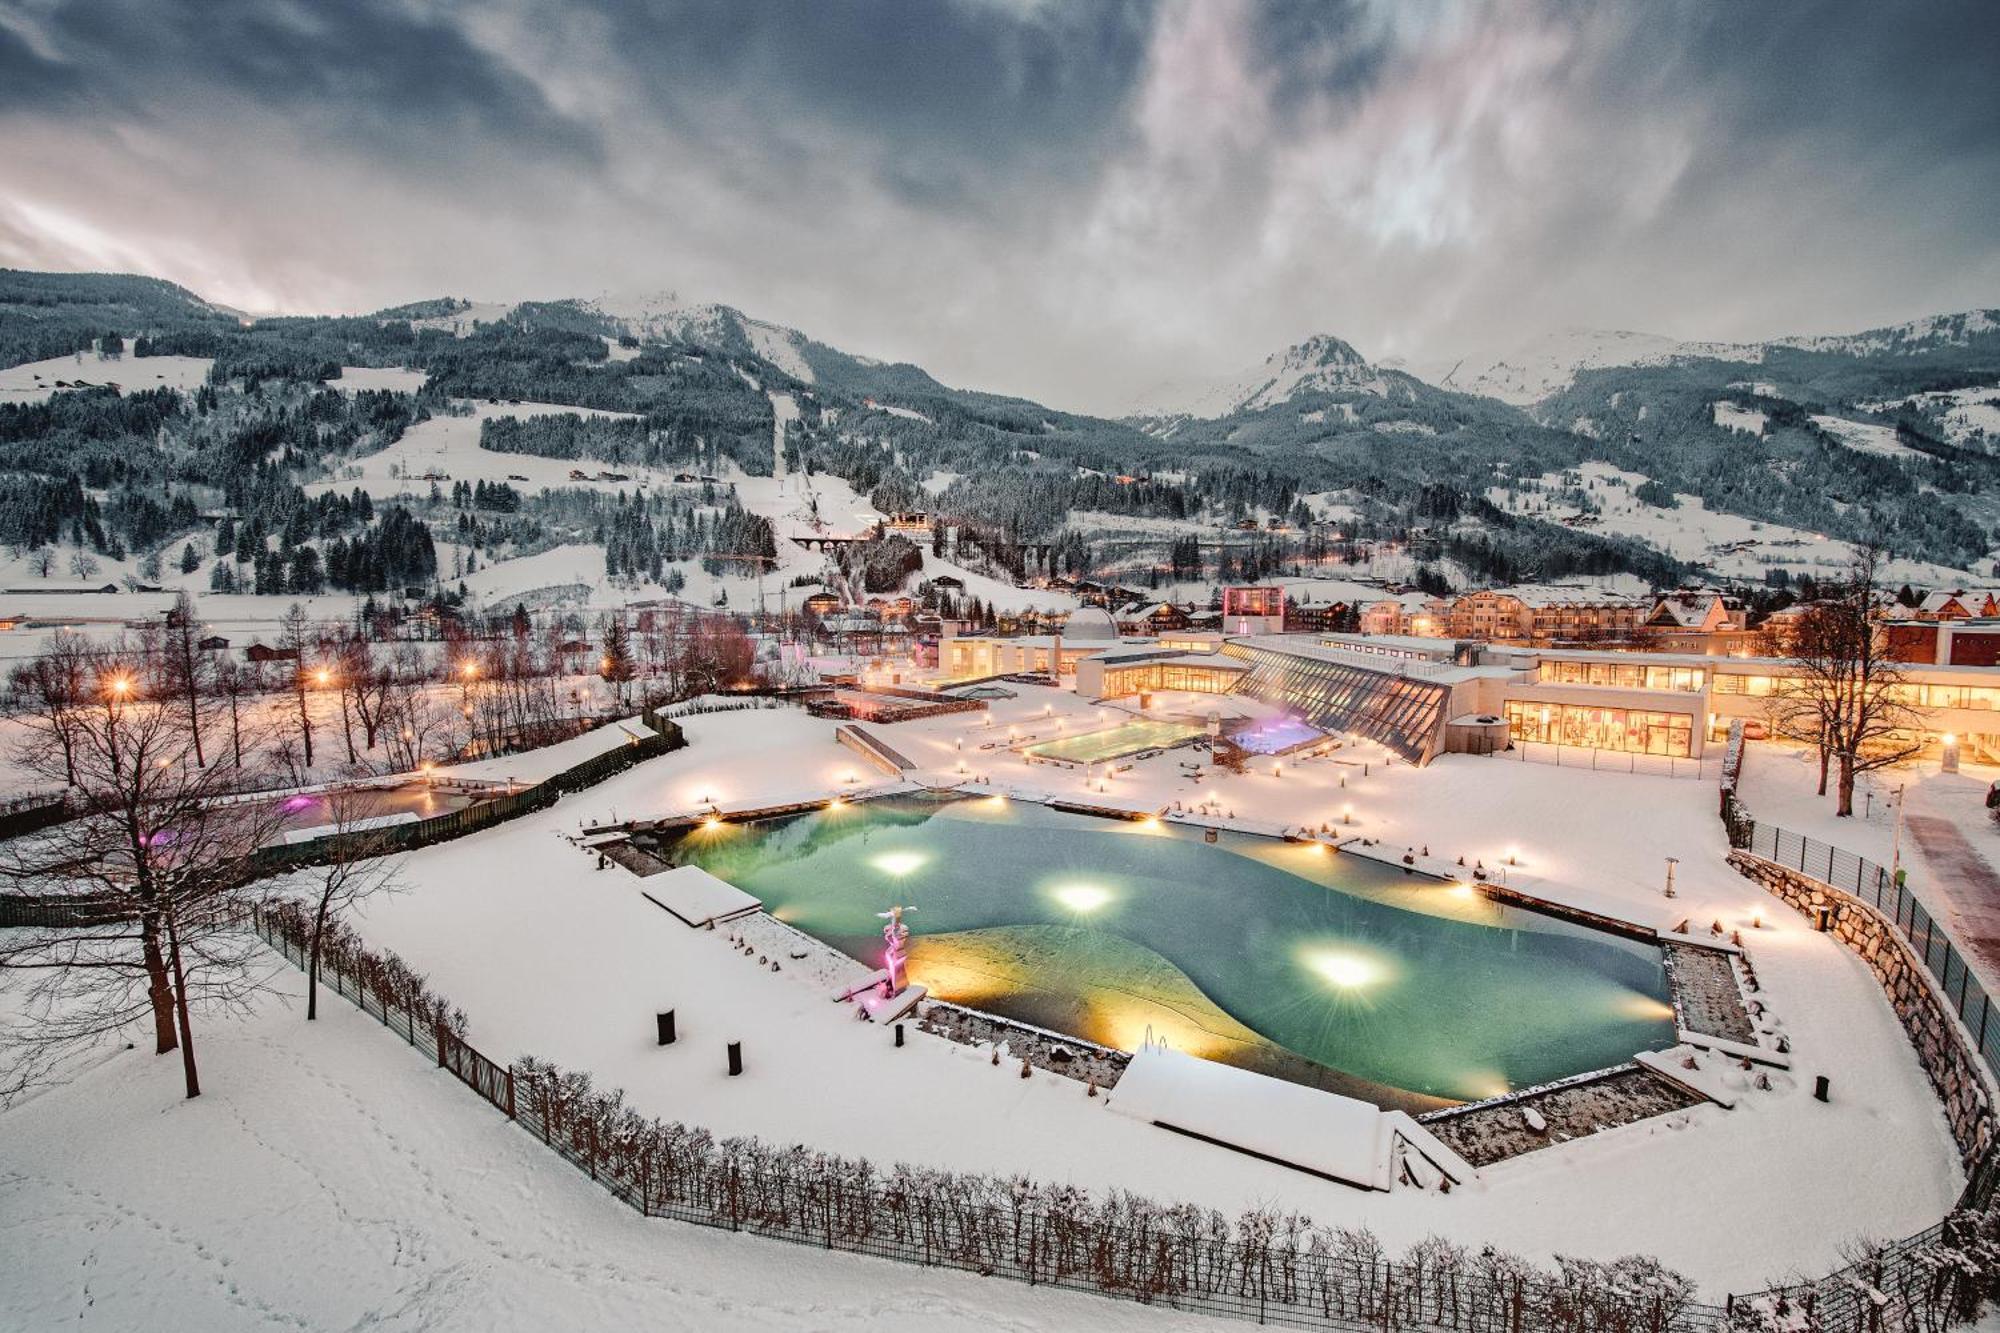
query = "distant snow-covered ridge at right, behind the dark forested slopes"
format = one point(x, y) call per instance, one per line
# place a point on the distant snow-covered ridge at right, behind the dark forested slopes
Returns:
point(1553, 363)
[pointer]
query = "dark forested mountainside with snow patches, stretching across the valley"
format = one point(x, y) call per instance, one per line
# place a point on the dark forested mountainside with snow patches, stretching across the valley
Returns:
point(1849, 439)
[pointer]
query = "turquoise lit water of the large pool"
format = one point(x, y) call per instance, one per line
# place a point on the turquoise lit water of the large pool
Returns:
point(1263, 954)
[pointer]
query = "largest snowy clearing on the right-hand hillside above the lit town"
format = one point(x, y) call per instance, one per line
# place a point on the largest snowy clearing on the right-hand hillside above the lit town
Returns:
point(1731, 545)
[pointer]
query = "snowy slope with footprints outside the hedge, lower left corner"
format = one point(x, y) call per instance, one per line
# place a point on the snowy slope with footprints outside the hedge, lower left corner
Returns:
point(331, 1178)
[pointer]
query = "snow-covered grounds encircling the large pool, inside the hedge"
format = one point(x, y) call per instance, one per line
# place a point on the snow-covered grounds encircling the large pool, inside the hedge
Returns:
point(523, 902)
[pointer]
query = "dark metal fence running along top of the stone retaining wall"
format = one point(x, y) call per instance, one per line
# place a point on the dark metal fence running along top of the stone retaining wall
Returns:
point(1893, 898)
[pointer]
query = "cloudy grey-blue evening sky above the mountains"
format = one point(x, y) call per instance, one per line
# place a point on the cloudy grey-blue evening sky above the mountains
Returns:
point(1069, 201)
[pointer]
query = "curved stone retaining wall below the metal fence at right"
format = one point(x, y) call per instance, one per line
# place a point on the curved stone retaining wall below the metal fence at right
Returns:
point(1943, 1046)
